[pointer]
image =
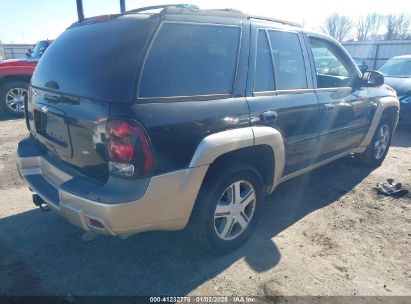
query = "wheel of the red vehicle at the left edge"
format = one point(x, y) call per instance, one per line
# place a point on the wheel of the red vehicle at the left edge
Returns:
point(12, 97)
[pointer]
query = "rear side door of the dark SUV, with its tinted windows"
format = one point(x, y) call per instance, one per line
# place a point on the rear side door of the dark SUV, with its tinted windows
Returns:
point(280, 92)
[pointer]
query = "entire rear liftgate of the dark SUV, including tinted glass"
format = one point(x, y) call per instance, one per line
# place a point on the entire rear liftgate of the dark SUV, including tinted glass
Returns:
point(85, 70)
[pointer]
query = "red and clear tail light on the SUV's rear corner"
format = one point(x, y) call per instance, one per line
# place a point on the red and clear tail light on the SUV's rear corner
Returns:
point(128, 148)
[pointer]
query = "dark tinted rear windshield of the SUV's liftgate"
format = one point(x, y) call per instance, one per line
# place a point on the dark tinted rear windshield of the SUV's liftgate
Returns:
point(98, 60)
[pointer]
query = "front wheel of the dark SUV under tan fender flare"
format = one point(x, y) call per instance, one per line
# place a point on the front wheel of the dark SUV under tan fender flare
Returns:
point(378, 148)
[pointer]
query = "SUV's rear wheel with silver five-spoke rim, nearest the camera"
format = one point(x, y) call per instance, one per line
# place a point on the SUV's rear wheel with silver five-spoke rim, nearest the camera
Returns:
point(219, 220)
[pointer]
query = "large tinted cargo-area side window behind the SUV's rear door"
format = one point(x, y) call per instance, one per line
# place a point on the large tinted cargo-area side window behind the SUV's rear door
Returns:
point(188, 60)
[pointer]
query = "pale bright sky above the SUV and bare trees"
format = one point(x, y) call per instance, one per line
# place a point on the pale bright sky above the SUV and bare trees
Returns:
point(27, 21)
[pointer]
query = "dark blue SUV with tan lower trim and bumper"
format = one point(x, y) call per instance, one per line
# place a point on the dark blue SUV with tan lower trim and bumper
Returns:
point(189, 118)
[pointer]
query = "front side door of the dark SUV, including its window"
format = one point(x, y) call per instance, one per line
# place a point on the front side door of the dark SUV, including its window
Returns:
point(345, 109)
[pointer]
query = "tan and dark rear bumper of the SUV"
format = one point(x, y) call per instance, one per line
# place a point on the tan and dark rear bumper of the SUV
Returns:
point(162, 202)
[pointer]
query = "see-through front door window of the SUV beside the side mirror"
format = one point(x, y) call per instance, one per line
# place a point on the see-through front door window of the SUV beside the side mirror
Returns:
point(332, 71)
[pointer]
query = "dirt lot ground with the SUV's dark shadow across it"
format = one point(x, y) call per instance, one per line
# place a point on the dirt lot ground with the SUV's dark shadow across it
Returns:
point(325, 233)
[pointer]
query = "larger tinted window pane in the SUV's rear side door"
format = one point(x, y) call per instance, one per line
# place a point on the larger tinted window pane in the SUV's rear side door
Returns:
point(288, 61)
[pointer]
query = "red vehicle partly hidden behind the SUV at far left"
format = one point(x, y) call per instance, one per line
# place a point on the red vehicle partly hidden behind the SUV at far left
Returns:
point(15, 75)
